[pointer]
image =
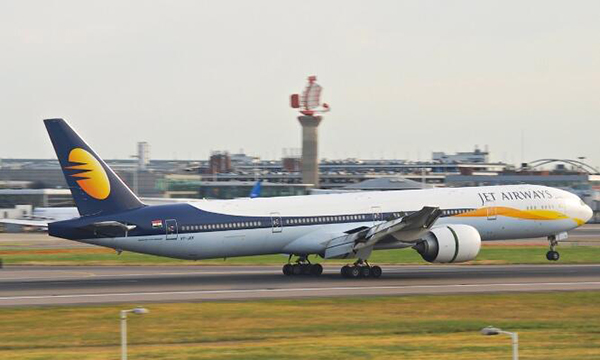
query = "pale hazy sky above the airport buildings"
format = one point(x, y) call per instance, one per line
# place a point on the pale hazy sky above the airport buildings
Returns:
point(403, 78)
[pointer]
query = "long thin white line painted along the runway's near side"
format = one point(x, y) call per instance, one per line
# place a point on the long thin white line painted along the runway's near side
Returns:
point(318, 289)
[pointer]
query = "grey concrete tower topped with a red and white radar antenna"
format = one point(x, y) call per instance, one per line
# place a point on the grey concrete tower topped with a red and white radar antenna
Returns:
point(309, 105)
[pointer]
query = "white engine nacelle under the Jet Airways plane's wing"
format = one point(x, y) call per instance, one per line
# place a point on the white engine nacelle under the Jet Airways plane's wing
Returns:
point(450, 244)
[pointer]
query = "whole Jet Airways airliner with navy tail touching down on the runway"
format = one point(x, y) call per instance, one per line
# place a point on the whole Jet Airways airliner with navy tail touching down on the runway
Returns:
point(444, 225)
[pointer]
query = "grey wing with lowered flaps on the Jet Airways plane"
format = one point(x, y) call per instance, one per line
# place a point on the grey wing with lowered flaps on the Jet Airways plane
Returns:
point(409, 228)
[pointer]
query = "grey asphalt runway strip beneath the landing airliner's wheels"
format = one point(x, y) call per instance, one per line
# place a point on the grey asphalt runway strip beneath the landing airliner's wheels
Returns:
point(61, 285)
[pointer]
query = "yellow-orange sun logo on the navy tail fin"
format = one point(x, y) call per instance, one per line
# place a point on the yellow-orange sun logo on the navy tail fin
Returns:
point(92, 177)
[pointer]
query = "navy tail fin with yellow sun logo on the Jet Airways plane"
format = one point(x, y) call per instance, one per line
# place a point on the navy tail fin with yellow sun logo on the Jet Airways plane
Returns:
point(96, 189)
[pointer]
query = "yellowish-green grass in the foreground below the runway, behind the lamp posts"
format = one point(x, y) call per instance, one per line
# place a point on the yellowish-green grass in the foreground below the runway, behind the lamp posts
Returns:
point(550, 325)
